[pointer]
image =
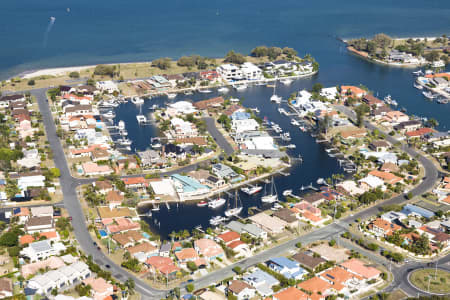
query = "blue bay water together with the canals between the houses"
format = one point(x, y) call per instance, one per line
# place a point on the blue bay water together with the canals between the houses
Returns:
point(122, 31)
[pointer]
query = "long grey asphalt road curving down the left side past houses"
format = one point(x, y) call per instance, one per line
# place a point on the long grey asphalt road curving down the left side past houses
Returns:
point(72, 204)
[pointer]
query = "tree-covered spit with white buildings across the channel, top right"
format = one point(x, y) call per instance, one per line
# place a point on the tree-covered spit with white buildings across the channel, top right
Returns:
point(402, 52)
